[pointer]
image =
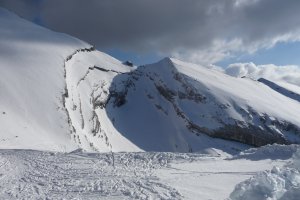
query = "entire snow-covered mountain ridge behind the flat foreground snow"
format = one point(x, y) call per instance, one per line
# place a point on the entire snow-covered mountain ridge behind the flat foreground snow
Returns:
point(59, 93)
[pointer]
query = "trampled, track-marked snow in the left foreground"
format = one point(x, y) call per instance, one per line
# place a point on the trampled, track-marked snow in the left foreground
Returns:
point(28, 174)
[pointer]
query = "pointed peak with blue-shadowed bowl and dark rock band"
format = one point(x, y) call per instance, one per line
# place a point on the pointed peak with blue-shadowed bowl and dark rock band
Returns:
point(177, 102)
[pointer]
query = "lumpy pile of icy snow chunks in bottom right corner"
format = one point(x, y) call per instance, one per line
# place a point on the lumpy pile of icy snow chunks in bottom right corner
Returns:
point(280, 183)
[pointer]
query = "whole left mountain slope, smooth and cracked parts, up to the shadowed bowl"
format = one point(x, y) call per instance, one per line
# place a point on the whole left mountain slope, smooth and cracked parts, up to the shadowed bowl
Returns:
point(53, 90)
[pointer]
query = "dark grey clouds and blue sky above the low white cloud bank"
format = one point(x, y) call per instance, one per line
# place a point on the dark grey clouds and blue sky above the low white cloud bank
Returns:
point(219, 32)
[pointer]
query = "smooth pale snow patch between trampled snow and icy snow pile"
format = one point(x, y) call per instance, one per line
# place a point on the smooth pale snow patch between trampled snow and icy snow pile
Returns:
point(211, 178)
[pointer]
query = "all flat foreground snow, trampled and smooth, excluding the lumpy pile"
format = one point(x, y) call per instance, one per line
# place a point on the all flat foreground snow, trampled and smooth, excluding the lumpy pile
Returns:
point(28, 174)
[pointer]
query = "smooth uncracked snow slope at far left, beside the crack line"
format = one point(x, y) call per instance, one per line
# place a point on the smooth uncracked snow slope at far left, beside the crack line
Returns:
point(32, 84)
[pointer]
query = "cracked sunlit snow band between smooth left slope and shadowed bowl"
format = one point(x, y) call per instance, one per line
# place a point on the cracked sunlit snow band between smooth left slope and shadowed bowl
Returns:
point(89, 75)
